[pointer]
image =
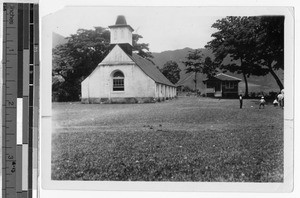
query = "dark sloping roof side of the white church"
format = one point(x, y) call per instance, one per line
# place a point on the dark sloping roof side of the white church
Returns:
point(150, 69)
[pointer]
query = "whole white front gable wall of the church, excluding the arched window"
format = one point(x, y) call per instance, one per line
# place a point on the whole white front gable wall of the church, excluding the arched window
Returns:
point(98, 87)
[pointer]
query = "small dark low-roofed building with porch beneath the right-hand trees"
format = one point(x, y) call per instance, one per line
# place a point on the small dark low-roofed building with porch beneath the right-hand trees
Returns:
point(222, 85)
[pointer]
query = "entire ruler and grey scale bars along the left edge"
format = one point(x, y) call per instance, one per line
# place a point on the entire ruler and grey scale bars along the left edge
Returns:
point(20, 99)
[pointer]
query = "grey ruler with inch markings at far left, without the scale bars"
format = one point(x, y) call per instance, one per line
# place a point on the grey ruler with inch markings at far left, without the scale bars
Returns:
point(10, 56)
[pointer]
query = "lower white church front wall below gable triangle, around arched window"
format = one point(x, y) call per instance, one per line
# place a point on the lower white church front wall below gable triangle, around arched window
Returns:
point(100, 84)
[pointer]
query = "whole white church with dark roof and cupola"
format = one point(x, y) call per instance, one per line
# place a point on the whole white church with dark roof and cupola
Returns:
point(124, 76)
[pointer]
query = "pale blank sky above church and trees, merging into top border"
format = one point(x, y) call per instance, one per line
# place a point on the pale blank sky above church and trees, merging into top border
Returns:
point(164, 28)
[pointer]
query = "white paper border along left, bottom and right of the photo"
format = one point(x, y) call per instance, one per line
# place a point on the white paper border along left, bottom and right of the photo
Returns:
point(46, 111)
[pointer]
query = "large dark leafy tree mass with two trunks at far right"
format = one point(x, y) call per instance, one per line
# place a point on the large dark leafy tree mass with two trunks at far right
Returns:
point(250, 45)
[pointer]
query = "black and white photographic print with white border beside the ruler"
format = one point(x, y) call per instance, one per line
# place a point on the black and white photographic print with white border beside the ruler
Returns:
point(167, 94)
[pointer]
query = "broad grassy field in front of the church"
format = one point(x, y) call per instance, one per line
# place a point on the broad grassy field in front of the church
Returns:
point(186, 139)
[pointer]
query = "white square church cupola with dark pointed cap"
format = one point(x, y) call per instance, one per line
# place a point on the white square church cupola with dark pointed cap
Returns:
point(121, 34)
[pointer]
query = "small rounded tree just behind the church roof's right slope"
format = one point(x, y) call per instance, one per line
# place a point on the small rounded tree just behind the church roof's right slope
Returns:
point(171, 71)
